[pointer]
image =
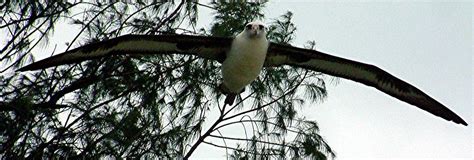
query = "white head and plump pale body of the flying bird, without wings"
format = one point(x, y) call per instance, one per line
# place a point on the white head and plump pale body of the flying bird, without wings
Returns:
point(244, 61)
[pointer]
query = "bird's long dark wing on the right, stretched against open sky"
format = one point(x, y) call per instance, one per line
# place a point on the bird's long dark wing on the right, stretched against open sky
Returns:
point(360, 72)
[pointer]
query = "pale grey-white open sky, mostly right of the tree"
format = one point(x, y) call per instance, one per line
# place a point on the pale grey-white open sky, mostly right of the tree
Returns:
point(428, 45)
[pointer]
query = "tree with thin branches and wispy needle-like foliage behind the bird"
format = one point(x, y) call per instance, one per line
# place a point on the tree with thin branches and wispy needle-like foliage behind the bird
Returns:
point(148, 106)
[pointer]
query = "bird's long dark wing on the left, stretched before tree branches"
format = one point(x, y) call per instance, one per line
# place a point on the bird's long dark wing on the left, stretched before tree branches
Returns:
point(213, 48)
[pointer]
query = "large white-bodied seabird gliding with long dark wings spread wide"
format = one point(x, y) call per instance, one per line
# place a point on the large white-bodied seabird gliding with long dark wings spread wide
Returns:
point(242, 61)
